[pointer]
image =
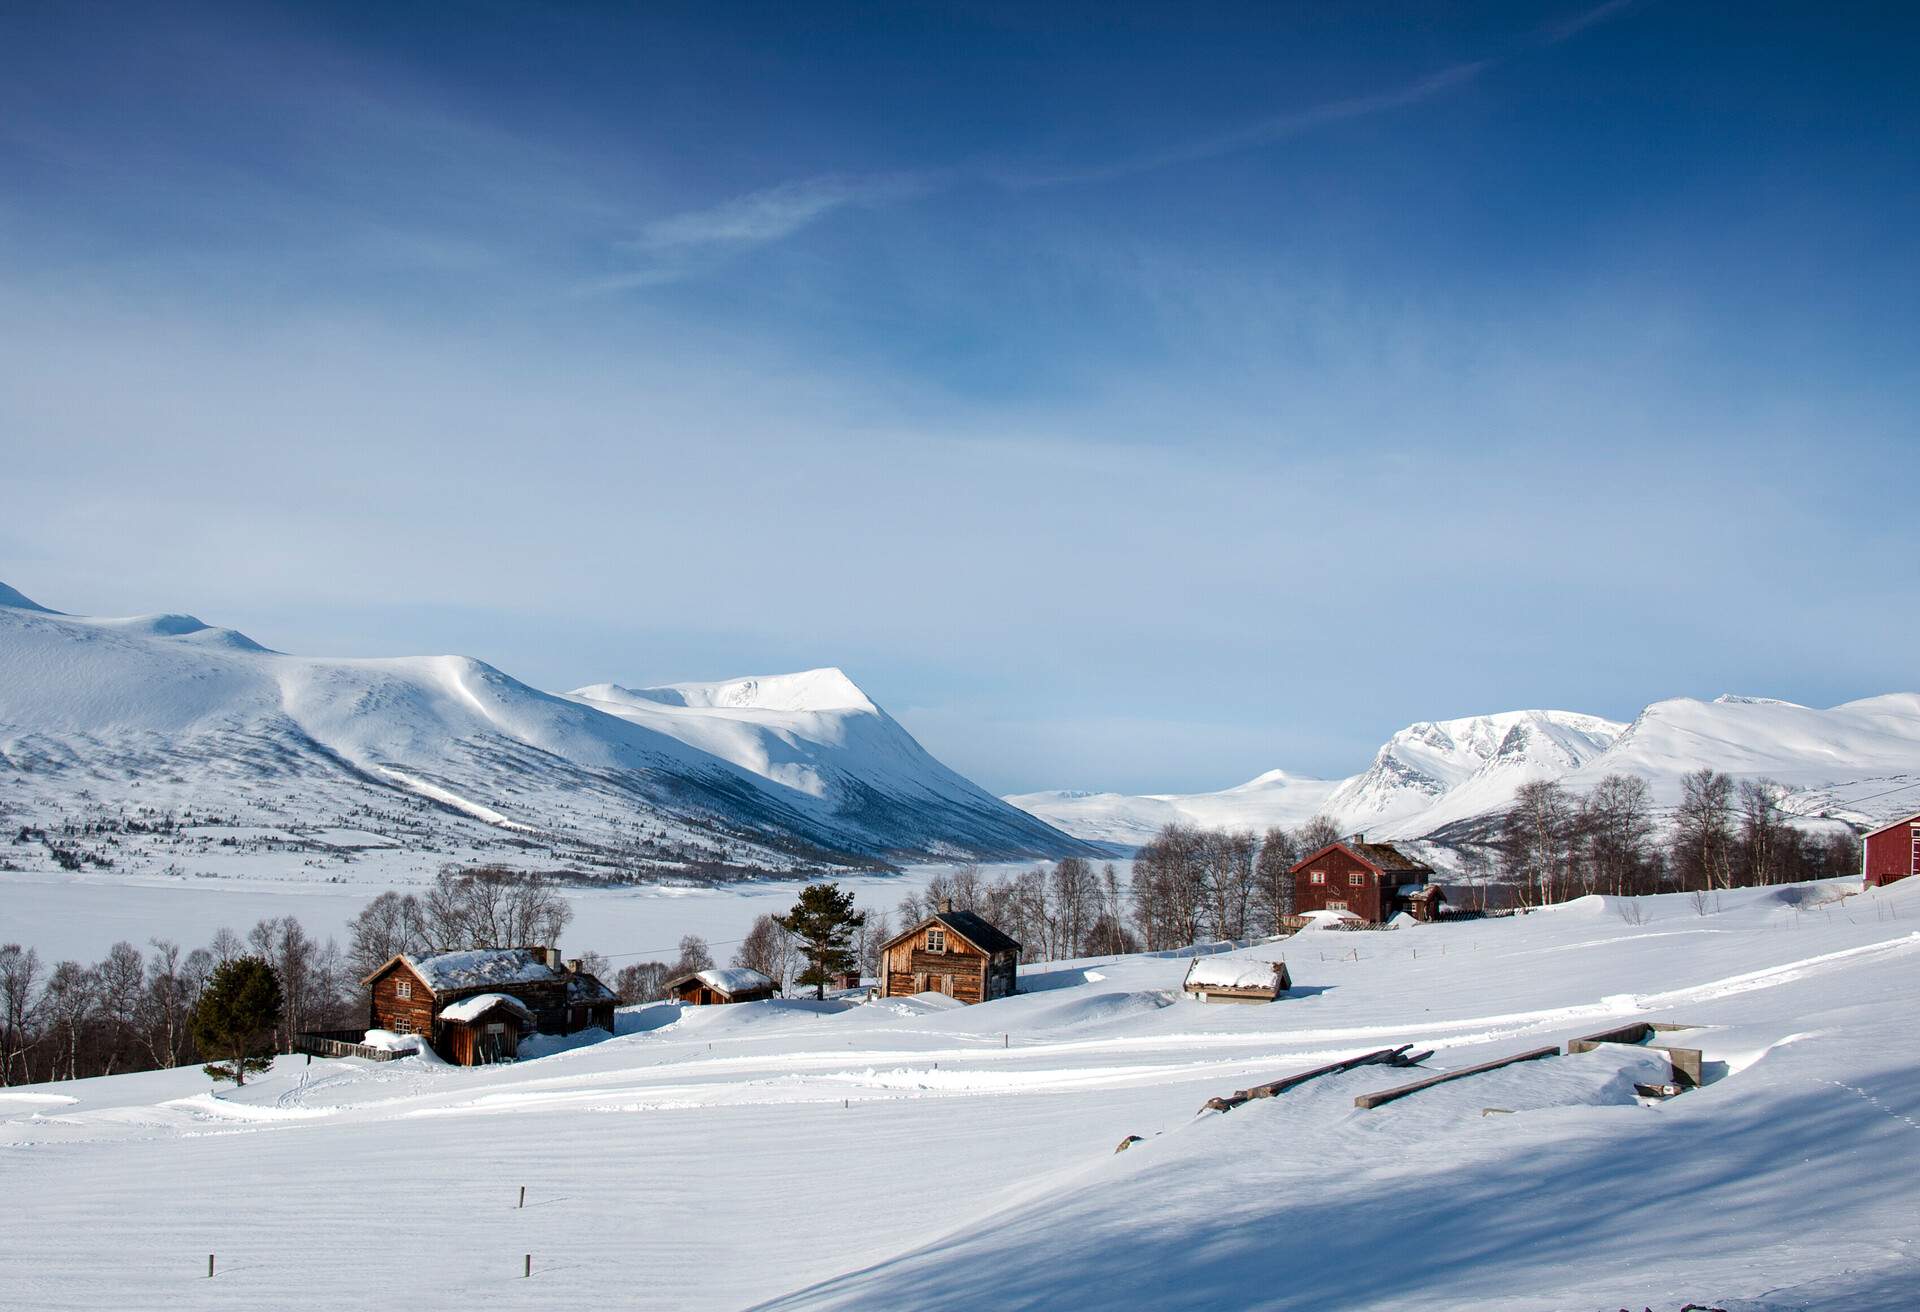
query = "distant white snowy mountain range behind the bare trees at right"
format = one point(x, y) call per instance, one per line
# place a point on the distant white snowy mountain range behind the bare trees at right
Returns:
point(1449, 781)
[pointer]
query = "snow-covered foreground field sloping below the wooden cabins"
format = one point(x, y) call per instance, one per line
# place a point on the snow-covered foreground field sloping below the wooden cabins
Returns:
point(926, 1155)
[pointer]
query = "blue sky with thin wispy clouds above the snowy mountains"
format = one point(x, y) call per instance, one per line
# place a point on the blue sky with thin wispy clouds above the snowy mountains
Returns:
point(1126, 397)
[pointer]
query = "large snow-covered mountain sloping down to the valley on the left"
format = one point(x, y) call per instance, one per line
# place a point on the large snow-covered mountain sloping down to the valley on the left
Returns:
point(788, 771)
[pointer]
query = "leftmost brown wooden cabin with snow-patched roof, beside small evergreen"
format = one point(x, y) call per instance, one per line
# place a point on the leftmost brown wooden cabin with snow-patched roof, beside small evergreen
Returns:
point(527, 990)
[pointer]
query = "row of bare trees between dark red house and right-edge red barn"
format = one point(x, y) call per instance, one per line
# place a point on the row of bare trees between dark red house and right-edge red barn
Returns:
point(1725, 833)
